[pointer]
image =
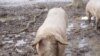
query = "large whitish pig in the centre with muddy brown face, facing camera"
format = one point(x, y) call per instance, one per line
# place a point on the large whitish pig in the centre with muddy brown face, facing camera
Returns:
point(51, 37)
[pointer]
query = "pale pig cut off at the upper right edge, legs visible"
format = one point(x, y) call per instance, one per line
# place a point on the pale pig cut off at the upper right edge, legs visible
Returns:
point(93, 9)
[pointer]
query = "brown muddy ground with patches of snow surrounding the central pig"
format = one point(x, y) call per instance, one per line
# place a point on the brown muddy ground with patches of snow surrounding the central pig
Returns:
point(17, 33)
